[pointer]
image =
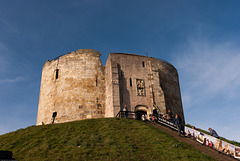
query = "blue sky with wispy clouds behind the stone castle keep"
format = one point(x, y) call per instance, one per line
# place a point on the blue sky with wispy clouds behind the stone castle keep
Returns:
point(199, 37)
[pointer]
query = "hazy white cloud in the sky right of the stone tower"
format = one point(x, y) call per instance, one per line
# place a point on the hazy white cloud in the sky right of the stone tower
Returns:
point(210, 84)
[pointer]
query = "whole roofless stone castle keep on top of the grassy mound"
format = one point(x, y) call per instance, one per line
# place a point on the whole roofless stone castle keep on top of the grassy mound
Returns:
point(76, 86)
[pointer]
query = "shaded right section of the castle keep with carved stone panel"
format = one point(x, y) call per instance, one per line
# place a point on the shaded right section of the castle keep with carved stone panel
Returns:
point(160, 87)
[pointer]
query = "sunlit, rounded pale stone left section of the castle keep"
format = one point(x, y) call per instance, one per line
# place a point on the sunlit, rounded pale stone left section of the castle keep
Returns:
point(72, 88)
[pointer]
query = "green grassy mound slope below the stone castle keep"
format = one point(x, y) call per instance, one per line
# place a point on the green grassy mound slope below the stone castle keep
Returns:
point(97, 139)
